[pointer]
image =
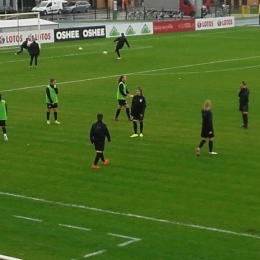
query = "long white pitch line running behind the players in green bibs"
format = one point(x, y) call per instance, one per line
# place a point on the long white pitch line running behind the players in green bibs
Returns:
point(136, 73)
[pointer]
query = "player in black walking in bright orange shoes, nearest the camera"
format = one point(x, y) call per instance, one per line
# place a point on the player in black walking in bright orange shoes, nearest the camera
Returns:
point(98, 133)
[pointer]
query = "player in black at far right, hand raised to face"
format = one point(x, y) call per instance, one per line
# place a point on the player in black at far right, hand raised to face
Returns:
point(243, 103)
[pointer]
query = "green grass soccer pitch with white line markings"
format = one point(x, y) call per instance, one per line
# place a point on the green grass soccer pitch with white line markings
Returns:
point(156, 199)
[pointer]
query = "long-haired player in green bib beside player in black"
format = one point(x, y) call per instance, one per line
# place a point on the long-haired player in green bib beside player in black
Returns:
point(122, 94)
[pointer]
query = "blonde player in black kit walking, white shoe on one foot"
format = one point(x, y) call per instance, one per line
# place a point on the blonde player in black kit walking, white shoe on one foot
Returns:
point(207, 130)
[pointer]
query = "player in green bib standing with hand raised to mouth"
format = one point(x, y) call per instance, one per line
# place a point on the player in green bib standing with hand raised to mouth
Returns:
point(52, 101)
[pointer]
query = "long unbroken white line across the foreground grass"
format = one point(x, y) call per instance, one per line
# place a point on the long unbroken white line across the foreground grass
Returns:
point(129, 215)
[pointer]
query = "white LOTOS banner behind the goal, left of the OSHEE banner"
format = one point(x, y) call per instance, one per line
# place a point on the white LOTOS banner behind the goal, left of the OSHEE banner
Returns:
point(16, 38)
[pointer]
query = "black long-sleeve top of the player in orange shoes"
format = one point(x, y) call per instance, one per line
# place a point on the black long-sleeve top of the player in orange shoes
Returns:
point(99, 132)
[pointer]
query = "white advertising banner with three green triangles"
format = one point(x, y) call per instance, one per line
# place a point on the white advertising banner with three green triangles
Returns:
point(129, 29)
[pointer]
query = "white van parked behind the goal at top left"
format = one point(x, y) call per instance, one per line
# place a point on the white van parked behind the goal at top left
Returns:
point(50, 7)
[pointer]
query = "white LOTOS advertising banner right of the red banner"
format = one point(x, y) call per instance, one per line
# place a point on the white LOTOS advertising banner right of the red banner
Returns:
point(214, 23)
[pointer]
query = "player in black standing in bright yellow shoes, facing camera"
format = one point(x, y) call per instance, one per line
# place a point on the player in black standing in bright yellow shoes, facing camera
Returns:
point(137, 111)
